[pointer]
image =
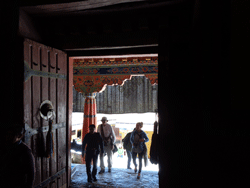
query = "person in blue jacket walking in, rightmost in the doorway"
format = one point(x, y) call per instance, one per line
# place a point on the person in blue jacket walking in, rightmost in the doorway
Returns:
point(137, 139)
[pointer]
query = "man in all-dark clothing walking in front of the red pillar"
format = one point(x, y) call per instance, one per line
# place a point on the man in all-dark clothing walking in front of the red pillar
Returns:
point(94, 144)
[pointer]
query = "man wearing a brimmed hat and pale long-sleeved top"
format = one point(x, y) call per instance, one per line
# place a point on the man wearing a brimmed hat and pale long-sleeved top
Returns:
point(109, 138)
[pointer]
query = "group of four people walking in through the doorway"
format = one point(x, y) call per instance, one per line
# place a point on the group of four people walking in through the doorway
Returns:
point(102, 142)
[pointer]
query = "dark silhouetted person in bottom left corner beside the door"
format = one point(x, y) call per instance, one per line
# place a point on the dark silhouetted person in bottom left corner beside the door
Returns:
point(17, 168)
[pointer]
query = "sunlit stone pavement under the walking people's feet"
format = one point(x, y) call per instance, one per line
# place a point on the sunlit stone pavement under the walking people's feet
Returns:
point(119, 177)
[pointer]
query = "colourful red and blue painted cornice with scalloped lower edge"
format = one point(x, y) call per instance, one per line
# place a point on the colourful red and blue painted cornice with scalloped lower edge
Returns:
point(92, 75)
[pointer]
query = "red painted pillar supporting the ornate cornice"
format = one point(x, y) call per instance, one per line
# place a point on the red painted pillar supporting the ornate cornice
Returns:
point(89, 116)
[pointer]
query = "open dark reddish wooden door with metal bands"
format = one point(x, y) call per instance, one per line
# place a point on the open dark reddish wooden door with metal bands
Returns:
point(46, 79)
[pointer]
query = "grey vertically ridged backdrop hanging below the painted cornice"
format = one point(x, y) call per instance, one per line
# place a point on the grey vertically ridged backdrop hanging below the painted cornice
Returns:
point(135, 96)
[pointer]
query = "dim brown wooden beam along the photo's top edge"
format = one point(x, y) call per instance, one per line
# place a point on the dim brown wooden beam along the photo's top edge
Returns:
point(100, 7)
